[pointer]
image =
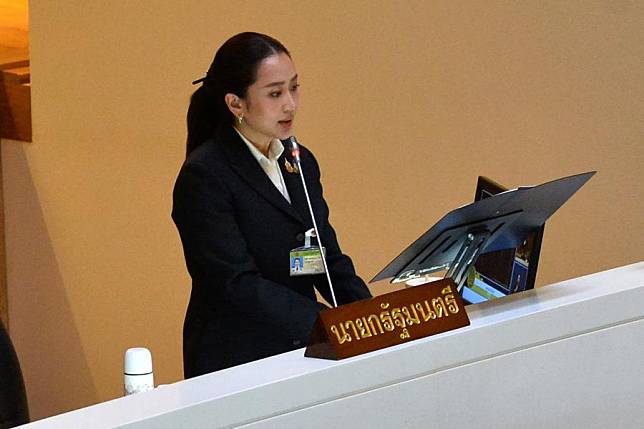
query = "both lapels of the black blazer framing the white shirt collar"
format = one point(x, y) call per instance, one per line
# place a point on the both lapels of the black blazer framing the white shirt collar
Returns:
point(246, 166)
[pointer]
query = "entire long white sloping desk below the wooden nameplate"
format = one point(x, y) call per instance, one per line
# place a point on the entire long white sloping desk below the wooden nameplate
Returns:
point(564, 355)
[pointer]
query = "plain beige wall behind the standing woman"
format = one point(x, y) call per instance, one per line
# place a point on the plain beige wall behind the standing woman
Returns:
point(404, 103)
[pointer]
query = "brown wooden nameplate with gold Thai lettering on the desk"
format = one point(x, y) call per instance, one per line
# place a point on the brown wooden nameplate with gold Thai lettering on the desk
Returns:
point(387, 320)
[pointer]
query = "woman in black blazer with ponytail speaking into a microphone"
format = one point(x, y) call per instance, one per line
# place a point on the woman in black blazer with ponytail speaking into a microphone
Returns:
point(240, 209)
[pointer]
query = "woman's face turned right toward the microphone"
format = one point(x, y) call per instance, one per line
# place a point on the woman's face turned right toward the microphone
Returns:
point(271, 102)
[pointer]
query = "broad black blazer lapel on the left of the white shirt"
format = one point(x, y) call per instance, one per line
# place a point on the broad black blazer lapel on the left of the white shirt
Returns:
point(246, 166)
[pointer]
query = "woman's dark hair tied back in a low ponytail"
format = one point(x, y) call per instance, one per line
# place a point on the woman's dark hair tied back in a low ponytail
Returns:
point(233, 70)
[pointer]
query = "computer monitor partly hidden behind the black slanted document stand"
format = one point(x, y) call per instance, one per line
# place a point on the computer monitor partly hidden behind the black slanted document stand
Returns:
point(504, 272)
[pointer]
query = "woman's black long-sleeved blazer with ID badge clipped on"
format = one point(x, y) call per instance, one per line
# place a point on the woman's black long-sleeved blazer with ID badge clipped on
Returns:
point(237, 230)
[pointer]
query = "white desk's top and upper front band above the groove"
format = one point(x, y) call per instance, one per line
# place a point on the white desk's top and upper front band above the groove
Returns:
point(291, 382)
